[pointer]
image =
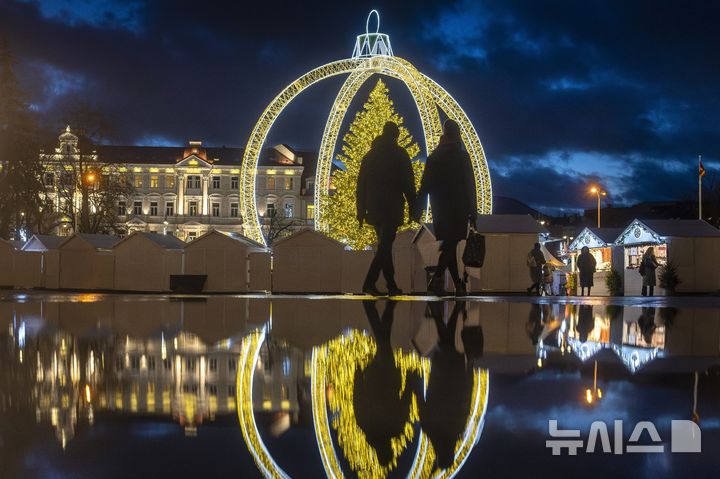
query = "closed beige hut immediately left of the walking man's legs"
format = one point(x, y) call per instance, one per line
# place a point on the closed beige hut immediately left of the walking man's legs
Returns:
point(307, 262)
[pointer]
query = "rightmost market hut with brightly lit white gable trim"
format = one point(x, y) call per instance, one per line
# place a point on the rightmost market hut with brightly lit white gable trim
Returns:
point(693, 247)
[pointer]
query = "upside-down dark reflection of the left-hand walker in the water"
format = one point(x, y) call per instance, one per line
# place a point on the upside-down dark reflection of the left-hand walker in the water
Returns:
point(381, 409)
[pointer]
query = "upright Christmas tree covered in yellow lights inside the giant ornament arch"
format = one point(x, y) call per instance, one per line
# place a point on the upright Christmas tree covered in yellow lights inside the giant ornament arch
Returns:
point(368, 124)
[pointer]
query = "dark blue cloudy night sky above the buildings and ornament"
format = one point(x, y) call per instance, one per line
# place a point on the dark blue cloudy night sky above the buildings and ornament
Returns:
point(561, 92)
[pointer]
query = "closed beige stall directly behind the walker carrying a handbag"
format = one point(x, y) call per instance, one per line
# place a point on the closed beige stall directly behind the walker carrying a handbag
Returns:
point(508, 239)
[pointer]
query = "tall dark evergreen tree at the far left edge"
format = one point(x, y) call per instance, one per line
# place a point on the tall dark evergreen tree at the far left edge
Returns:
point(20, 169)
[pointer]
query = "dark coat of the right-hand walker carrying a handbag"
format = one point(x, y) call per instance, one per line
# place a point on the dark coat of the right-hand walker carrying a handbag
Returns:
point(449, 180)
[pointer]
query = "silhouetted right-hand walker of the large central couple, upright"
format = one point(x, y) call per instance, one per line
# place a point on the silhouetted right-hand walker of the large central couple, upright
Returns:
point(449, 181)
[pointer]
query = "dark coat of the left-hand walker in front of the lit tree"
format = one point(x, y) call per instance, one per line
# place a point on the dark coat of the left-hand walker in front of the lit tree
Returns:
point(385, 182)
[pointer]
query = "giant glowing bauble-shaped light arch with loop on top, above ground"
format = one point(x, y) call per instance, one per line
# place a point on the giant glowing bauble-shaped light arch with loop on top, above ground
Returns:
point(372, 54)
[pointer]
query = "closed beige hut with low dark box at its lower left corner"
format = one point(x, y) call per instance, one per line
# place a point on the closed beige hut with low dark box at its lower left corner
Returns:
point(231, 262)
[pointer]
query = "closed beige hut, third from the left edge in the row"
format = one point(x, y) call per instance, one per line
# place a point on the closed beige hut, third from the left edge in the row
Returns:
point(87, 262)
